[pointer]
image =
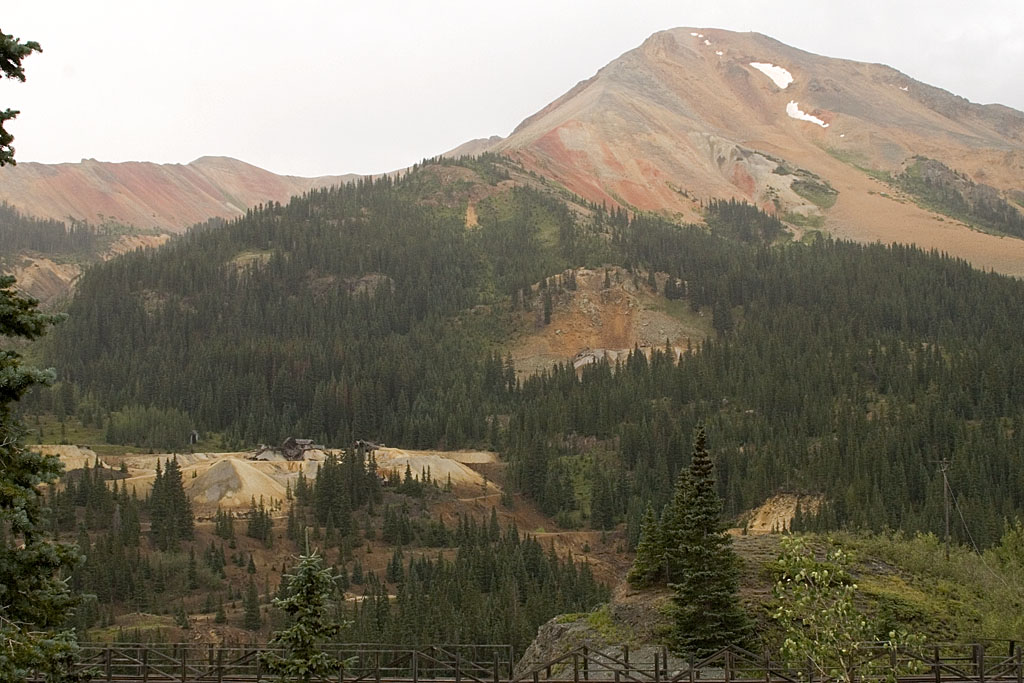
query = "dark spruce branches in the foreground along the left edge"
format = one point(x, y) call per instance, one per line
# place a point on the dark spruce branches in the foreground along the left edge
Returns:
point(35, 603)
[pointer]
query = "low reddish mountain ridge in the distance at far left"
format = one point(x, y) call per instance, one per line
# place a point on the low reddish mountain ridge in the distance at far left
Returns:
point(165, 197)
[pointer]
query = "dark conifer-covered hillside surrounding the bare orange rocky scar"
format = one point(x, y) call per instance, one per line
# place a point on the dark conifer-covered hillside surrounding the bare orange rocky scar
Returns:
point(373, 312)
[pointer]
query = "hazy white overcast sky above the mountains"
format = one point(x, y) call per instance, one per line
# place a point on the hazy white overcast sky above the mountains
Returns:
point(318, 88)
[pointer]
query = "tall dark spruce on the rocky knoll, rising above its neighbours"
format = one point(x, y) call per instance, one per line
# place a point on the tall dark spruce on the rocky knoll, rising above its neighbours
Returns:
point(703, 569)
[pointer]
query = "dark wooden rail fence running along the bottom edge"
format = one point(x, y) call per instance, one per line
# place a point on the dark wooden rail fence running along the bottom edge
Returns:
point(992, 662)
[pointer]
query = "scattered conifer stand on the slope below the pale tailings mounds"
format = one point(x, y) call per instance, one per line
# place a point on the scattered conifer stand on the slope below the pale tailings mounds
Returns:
point(472, 582)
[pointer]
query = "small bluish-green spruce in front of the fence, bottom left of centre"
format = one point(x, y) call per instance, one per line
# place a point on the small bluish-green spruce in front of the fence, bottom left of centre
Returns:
point(308, 606)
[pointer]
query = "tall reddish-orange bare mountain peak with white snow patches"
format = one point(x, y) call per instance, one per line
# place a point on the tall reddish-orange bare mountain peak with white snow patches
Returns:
point(695, 114)
